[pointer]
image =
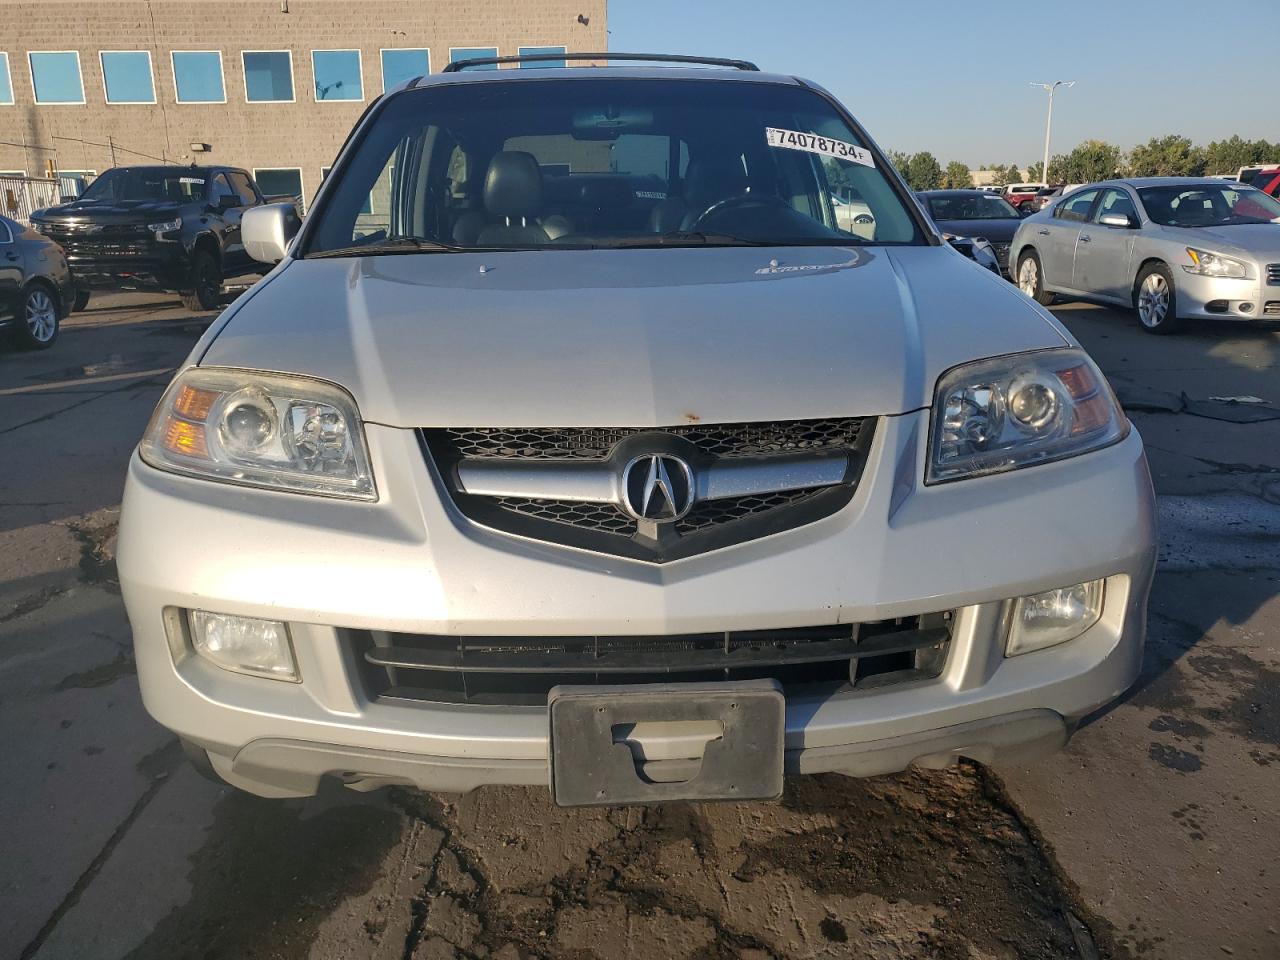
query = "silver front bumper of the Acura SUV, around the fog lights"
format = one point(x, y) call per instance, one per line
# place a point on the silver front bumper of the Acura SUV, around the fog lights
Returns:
point(409, 563)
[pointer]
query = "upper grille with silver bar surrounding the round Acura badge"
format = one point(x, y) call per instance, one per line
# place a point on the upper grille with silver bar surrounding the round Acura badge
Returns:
point(563, 484)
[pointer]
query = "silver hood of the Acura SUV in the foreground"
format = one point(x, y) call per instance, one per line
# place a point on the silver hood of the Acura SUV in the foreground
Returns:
point(632, 337)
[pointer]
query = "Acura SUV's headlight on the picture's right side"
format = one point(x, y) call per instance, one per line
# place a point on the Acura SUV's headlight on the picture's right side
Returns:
point(1018, 412)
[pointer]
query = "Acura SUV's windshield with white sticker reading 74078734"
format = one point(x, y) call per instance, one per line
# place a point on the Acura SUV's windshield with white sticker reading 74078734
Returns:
point(606, 163)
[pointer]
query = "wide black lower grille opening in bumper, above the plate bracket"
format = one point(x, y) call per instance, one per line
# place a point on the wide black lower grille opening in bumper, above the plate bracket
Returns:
point(522, 671)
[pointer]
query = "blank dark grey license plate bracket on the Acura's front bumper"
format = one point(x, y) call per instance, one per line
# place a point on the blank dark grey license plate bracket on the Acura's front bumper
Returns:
point(591, 769)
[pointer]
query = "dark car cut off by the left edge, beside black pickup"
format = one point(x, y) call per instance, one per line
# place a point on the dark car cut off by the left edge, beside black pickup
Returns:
point(36, 290)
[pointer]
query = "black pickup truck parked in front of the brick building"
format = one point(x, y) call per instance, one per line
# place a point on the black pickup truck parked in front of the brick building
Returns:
point(167, 228)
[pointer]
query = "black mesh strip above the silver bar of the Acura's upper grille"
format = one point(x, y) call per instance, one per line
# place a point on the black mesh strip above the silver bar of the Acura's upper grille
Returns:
point(596, 444)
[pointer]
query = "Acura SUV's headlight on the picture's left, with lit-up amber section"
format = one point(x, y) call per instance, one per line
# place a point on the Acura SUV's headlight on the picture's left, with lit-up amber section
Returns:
point(241, 427)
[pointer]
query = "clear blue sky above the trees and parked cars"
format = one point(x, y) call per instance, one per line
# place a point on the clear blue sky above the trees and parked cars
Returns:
point(954, 77)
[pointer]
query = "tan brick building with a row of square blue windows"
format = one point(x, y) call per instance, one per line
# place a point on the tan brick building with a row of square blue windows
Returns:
point(269, 85)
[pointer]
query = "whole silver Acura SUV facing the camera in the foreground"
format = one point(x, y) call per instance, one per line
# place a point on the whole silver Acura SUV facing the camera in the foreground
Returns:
point(473, 491)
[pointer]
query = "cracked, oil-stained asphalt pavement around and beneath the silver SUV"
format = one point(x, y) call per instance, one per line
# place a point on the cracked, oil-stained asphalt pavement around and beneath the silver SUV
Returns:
point(1151, 836)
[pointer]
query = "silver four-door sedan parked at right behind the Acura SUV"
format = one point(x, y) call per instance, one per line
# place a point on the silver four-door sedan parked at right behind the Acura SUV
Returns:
point(1169, 248)
